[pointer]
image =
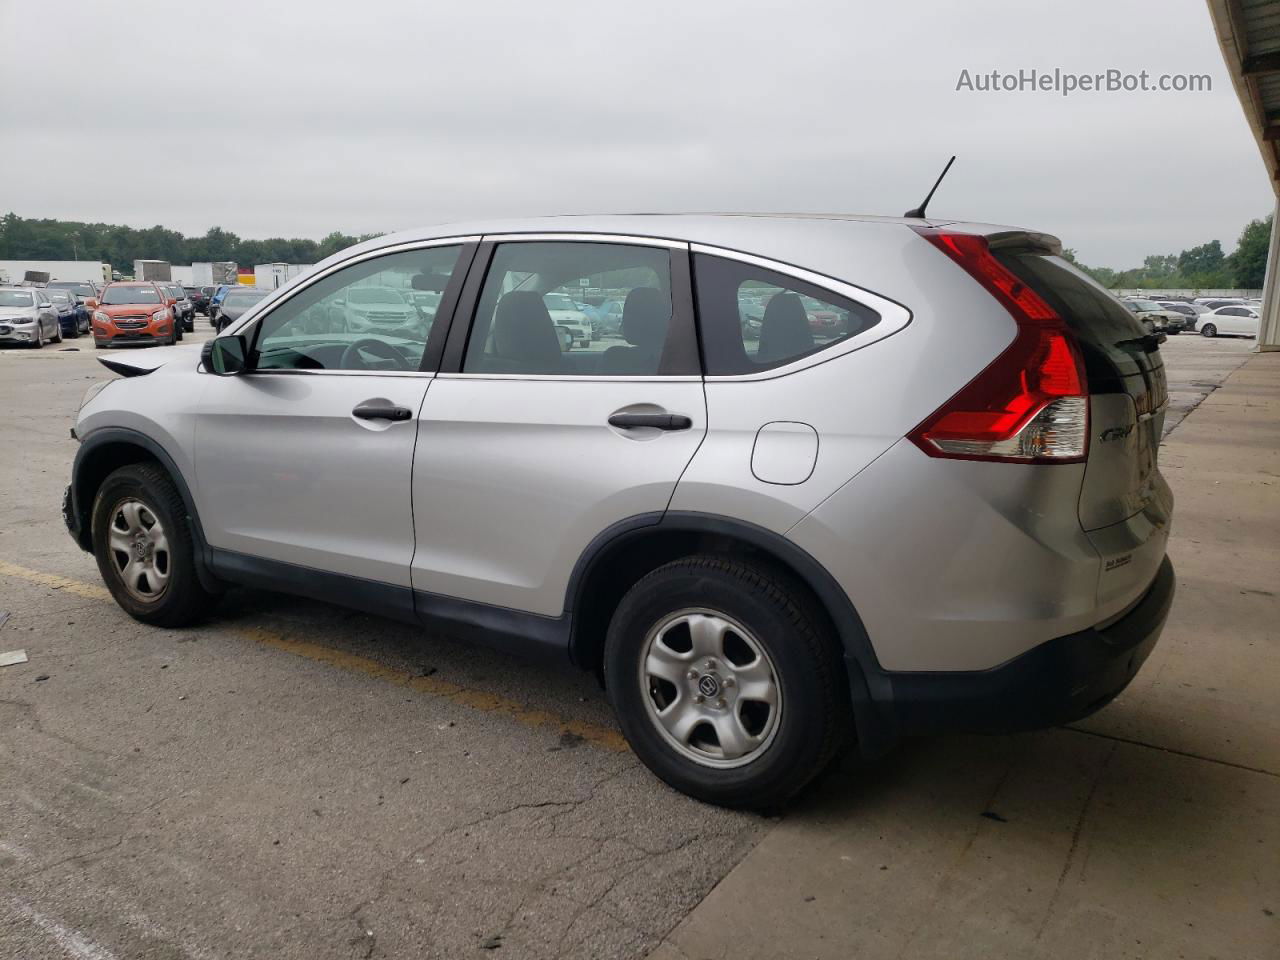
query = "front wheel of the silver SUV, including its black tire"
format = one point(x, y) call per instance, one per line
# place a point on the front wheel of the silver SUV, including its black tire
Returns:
point(170, 593)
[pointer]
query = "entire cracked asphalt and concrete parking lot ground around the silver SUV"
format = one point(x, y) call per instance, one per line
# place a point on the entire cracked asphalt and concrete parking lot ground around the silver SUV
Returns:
point(292, 780)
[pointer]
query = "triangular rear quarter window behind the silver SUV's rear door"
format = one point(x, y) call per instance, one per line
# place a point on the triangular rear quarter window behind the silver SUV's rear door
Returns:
point(755, 319)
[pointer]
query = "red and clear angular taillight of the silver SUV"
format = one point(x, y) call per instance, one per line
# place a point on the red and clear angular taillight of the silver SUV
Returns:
point(1032, 403)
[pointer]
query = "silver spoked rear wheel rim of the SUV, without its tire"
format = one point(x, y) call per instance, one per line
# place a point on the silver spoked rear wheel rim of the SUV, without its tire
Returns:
point(710, 688)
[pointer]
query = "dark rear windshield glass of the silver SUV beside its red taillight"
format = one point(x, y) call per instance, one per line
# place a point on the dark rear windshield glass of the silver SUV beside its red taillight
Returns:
point(1110, 337)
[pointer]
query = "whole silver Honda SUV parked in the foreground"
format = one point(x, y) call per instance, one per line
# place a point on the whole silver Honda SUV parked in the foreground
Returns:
point(918, 495)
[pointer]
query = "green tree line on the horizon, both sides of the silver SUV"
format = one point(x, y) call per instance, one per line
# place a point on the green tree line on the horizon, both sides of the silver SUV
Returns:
point(1200, 268)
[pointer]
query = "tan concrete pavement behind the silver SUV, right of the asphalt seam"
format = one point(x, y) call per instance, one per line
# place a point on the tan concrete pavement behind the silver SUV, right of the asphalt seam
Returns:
point(1153, 830)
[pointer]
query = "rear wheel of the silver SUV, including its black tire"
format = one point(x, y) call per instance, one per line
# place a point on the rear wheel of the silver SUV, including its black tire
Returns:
point(772, 639)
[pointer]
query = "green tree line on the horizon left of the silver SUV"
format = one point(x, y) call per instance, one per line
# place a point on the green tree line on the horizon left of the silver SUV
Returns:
point(67, 240)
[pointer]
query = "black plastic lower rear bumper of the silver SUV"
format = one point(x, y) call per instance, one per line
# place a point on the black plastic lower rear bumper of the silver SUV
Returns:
point(1057, 683)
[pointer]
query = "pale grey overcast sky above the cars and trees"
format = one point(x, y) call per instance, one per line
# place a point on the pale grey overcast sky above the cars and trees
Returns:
point(300, 118)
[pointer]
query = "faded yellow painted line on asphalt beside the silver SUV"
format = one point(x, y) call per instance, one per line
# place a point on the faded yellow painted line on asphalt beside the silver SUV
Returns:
point(455, 693)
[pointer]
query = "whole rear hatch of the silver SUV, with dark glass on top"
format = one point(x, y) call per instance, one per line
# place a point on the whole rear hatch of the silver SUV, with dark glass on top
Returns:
point(1126, 504)
